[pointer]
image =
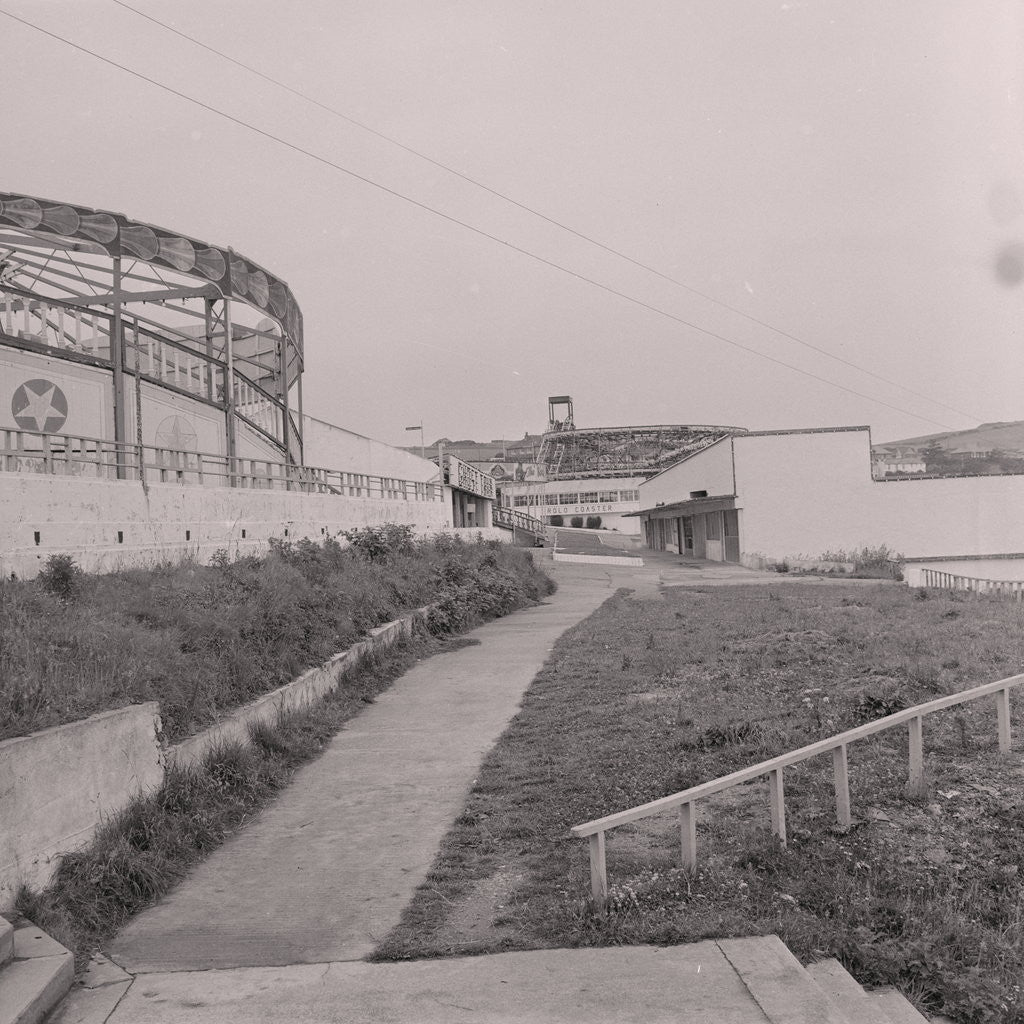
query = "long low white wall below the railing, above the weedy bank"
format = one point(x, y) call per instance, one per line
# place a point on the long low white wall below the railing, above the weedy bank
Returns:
point(82, 518)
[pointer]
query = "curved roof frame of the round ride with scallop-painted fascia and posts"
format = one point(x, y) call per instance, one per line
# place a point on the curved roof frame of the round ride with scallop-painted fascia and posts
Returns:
point(88, 258)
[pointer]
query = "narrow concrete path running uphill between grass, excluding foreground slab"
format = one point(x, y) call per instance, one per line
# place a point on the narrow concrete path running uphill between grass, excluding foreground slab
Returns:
point(325, 872)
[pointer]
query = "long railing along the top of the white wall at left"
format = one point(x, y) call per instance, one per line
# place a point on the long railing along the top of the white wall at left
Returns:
point(66, 455)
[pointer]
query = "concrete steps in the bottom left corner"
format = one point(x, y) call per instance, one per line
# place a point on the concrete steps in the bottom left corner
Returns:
point(35, 973)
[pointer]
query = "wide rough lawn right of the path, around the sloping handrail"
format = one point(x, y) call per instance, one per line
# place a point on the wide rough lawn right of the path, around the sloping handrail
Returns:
point(648, 698)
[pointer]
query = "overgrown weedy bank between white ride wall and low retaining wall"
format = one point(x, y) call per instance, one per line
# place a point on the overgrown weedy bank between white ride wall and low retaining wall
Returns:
point(202, 639)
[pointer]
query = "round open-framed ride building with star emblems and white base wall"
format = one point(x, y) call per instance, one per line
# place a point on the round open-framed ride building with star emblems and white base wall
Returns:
point(151, 405)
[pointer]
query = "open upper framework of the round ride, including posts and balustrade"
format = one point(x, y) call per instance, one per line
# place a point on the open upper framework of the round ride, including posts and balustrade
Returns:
point(152, 305)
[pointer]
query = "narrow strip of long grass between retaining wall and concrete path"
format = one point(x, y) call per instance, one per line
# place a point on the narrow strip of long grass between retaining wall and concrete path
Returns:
point(142, 852)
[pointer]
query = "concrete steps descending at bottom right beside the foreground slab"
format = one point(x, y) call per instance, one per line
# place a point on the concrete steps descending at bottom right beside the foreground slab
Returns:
point(821, 994)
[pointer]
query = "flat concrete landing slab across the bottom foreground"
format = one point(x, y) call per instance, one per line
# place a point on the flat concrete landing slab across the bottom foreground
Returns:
point(696, 985)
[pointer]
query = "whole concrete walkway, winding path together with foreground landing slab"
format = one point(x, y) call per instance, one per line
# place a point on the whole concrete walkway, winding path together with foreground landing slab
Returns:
point(275, 925)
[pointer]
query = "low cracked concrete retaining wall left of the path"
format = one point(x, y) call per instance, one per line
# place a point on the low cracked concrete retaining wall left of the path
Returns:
point(58, 786)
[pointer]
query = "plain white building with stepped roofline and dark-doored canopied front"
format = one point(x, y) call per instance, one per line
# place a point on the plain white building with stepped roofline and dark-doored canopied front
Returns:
point(765, 498)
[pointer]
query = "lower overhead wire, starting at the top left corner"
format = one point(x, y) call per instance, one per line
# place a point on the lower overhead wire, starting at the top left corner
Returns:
point(471, 228)
